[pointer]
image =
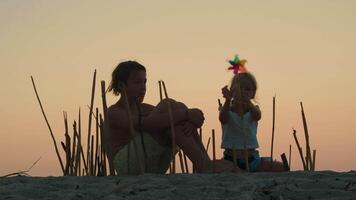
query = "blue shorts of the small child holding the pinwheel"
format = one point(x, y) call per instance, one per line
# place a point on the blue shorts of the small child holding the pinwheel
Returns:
point(254, 161)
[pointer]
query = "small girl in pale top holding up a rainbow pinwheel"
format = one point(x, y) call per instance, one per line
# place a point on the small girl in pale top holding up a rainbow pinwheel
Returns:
point(237, 109)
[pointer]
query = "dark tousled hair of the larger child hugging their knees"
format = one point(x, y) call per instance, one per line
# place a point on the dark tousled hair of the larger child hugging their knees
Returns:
point(121, 73)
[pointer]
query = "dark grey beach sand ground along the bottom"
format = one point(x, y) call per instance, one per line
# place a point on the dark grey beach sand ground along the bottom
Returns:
point(288, 185)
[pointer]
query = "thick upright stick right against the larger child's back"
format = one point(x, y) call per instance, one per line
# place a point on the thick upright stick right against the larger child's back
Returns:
point(106, 133)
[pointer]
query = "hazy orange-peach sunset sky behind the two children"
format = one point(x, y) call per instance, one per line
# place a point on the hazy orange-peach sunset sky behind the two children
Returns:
point(299, 51)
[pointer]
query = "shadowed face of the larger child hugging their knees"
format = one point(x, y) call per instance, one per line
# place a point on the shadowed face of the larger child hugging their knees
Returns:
point(136, 85)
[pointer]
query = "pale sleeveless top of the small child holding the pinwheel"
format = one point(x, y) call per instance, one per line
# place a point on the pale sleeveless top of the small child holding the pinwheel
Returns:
point(233, 136)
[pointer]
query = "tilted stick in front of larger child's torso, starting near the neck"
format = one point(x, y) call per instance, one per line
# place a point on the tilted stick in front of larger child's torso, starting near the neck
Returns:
point(131, 127)
